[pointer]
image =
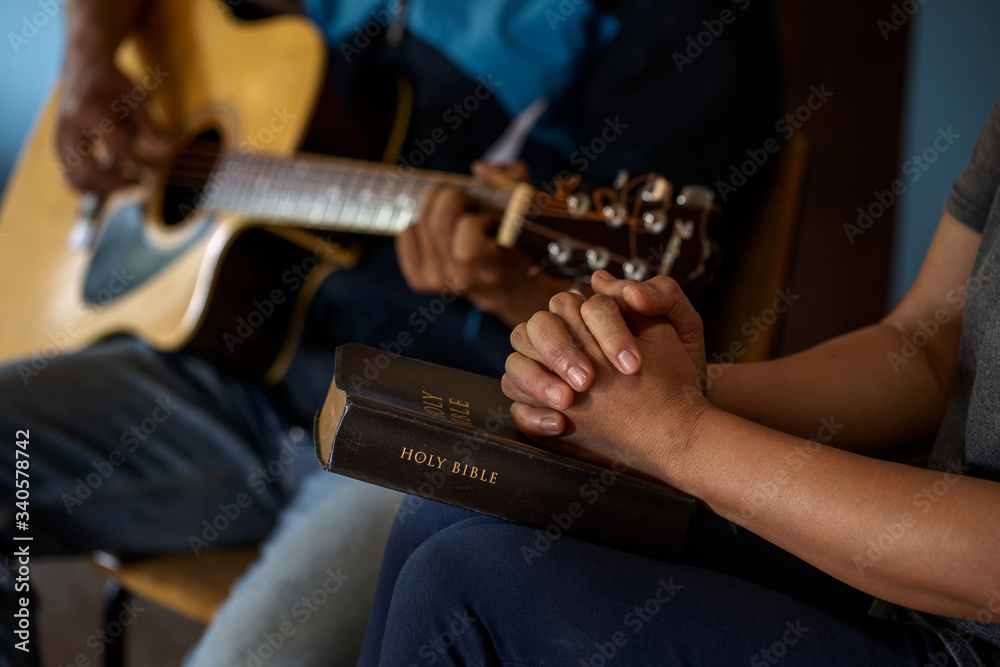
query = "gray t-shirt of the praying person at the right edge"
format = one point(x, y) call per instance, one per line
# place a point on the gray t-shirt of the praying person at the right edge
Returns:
point(968, 441)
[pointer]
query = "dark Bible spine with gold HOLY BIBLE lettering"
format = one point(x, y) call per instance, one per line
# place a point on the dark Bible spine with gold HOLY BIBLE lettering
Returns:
point(465, 468)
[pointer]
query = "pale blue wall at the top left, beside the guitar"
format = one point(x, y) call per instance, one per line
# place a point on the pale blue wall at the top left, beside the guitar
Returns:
point(28, 68)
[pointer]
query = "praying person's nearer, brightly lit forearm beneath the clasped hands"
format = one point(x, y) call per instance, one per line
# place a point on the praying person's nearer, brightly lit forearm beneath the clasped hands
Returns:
point(922, 539)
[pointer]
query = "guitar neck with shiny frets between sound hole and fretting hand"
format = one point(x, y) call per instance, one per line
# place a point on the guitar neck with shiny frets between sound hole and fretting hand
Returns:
point(338, 194)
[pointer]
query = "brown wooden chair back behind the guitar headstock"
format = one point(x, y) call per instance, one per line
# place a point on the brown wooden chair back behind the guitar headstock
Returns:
point(765, 264)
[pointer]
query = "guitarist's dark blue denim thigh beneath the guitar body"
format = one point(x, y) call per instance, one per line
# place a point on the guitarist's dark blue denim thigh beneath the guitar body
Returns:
point(130, 451)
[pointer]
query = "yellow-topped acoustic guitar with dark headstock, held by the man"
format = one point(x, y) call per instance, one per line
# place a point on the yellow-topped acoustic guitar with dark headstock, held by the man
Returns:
point(221, 253)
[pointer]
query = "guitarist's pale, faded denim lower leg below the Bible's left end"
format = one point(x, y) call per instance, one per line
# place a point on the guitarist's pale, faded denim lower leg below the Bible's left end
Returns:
point(307, 600)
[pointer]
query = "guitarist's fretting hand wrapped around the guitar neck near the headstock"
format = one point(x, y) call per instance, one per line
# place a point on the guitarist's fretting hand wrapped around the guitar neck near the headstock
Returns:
point(450, 249)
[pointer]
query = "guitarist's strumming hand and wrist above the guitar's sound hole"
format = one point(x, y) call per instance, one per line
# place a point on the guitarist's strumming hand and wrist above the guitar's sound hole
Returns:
point(100, 106)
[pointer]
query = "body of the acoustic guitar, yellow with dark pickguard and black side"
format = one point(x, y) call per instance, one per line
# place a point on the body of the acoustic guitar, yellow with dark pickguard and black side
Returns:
point(141, 266)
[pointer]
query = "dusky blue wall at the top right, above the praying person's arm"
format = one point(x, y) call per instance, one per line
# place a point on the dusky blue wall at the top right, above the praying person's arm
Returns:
point(954, 78)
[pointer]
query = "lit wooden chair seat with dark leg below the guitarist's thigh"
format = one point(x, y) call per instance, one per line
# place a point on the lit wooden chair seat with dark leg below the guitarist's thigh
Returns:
point(189, 585)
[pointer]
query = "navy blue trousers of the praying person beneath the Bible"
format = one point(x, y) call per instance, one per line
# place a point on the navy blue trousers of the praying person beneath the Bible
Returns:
point(458, 588)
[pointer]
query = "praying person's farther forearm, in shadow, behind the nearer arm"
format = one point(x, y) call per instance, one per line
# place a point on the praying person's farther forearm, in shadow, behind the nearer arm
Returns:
point(858, 387)
